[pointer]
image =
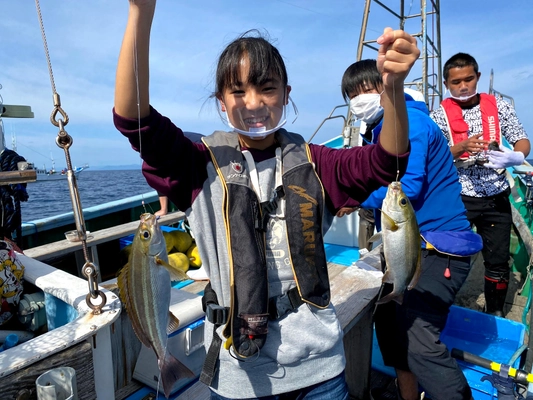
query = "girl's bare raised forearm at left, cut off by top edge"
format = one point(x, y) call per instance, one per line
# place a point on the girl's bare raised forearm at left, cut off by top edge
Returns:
point(132, 80)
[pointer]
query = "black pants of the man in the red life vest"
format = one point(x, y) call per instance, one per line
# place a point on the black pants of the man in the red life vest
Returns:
point(493, 220)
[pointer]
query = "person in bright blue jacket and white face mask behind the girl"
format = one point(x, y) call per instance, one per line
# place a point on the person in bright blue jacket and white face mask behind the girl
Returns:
point(408, 331)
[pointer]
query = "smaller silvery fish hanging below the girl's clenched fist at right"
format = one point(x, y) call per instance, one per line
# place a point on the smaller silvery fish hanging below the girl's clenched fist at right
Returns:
point(401, 243)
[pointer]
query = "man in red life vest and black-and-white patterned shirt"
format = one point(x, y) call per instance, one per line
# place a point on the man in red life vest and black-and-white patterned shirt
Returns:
point(470, 121)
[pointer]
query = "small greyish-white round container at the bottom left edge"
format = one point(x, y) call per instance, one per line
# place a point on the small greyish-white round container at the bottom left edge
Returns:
point(57, 384)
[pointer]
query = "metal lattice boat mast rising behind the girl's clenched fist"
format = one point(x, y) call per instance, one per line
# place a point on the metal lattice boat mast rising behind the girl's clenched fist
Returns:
point(427, 20)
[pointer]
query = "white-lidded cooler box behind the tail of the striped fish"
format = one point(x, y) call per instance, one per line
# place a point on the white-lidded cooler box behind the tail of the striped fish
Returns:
point(186, 344)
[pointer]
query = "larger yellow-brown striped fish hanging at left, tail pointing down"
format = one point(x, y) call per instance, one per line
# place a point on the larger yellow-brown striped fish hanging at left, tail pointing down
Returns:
point(144, 288)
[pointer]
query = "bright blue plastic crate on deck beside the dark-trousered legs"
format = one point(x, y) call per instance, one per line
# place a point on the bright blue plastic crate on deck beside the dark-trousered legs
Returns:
point(497, 339)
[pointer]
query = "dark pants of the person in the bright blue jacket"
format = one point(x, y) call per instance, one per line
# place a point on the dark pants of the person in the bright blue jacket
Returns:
point(409, 334)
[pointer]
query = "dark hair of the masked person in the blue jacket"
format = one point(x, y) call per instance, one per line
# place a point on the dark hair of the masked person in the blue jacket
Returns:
point(359, 75)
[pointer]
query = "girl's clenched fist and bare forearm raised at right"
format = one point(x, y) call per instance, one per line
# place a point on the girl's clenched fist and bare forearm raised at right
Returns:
point(397, 54)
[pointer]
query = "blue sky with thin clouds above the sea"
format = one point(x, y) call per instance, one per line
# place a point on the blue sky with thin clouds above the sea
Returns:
point(318, 40)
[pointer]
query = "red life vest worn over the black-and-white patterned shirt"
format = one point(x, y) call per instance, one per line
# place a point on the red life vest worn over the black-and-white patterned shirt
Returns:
point(458, 127)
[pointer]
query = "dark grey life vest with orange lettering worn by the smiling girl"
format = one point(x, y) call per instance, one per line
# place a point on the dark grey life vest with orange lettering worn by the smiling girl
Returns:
point(246, 327)
